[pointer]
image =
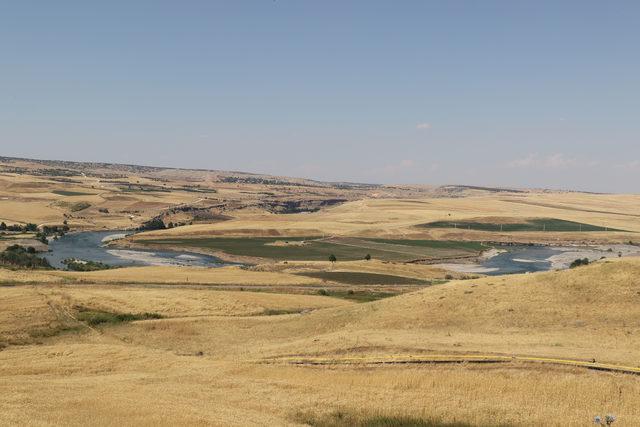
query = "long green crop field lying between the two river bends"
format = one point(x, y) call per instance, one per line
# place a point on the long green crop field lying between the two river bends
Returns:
point(344, 249)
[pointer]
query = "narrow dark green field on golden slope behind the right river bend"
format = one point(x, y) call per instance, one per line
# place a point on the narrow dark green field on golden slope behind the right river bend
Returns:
point(538, 224)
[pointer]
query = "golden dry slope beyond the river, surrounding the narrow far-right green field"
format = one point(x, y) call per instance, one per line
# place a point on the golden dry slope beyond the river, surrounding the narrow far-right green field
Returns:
point(397, 218)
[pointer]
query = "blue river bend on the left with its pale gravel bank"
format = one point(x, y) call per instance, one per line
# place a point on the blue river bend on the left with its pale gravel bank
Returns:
point(90, 246)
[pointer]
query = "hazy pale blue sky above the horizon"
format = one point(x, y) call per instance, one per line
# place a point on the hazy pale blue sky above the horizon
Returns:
point(512, 93)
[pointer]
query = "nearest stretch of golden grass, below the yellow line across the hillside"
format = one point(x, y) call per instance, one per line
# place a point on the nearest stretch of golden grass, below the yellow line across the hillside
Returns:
point(119, 384)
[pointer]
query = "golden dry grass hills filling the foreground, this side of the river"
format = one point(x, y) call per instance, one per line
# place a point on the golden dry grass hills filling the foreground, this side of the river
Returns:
point(217, 357)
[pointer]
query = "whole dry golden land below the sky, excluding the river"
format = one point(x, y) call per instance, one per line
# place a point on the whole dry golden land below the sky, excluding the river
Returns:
point(335, 305)
